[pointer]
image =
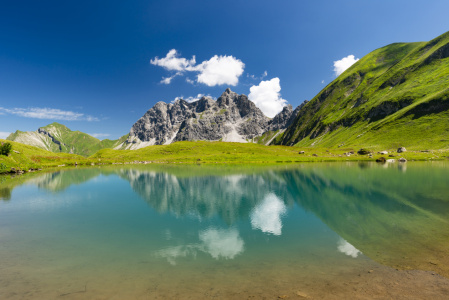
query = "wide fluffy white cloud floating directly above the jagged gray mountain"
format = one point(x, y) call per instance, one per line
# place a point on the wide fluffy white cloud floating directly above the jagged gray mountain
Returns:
point(218, 70)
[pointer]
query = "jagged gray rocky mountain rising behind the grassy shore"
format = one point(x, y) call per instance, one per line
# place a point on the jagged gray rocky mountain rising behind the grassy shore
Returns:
point(232, 118)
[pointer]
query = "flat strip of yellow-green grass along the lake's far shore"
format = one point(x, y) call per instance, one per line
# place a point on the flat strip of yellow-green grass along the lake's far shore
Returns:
point(25, 158)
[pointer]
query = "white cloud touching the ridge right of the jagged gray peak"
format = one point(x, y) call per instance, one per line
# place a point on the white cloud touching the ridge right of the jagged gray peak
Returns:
point(267, 97)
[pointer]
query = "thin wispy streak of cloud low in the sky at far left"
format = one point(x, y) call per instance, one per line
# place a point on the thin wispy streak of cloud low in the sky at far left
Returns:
point(48, 113)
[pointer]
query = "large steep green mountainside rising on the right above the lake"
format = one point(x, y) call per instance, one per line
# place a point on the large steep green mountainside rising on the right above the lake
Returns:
point(397, 95)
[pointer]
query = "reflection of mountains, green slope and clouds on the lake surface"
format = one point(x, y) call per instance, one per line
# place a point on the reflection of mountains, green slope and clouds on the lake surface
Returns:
point(396, 216)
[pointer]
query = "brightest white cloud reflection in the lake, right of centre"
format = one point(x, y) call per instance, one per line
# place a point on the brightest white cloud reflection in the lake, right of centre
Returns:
point(267, 215)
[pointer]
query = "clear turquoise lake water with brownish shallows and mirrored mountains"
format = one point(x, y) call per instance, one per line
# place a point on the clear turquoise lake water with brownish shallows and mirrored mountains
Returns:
point(205, 232)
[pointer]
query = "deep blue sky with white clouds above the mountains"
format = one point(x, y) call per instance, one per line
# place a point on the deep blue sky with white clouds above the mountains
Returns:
point(98, 66)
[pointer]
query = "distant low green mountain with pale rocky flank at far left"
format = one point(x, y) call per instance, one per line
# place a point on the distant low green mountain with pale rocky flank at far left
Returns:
point(56, 137)
